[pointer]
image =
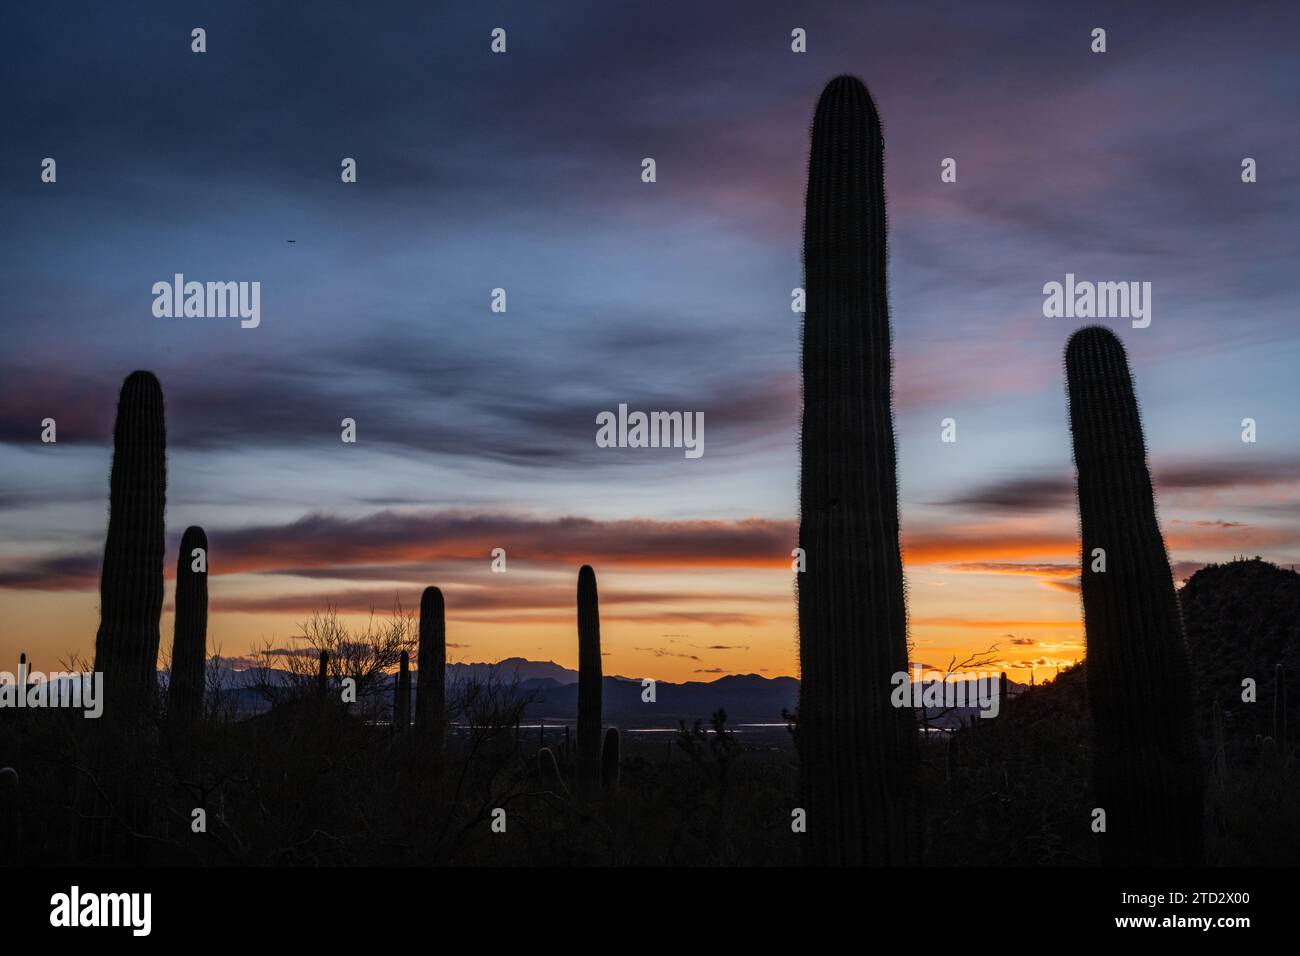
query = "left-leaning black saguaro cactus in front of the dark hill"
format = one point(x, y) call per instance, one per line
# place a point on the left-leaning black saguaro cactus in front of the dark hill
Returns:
point(1147, 767)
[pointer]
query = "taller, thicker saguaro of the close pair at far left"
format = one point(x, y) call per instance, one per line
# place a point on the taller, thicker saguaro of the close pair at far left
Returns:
point(127, 647)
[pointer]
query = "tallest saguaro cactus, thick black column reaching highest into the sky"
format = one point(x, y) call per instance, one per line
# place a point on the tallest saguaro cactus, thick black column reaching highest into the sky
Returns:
point(859, 754)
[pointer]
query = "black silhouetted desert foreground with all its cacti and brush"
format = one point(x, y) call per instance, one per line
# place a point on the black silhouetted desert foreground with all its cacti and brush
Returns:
point(335, 772)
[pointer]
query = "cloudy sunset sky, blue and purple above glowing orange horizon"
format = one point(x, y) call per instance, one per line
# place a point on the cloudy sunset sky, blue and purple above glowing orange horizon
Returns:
point(522, 171)
